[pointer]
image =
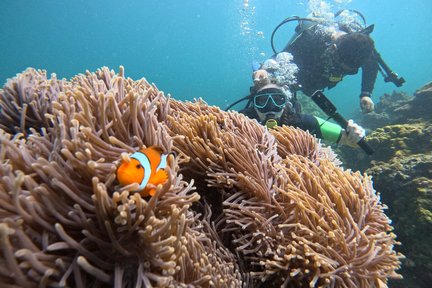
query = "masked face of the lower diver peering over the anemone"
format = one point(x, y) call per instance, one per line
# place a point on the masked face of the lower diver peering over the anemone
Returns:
point(269, 105)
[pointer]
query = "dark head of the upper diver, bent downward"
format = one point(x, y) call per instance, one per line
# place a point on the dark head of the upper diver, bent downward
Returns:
point(354, 49)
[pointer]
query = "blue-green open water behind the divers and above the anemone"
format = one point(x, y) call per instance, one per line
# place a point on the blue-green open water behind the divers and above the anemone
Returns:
point(193, 48)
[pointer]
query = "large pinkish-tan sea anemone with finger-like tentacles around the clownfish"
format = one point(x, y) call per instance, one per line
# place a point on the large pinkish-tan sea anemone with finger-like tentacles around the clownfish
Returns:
point(243, 206)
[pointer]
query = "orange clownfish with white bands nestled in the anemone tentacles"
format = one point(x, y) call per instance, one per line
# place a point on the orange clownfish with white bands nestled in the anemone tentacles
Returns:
point(146, 166)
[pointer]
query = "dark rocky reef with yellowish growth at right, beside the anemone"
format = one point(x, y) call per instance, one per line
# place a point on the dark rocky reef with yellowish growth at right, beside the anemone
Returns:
point(401, 133)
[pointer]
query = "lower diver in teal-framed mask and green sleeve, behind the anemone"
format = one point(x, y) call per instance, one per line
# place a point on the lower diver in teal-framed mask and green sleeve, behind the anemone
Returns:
point(272, 105)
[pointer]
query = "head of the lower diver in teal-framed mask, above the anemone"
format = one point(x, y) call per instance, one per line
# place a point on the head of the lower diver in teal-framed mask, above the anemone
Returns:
point(269, 102)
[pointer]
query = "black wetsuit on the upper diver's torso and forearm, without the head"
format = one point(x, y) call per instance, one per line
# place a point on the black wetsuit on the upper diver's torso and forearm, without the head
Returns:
point(319, 69)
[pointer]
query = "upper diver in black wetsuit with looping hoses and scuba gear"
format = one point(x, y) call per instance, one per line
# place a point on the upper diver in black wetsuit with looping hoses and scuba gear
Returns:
point(324, 53)
